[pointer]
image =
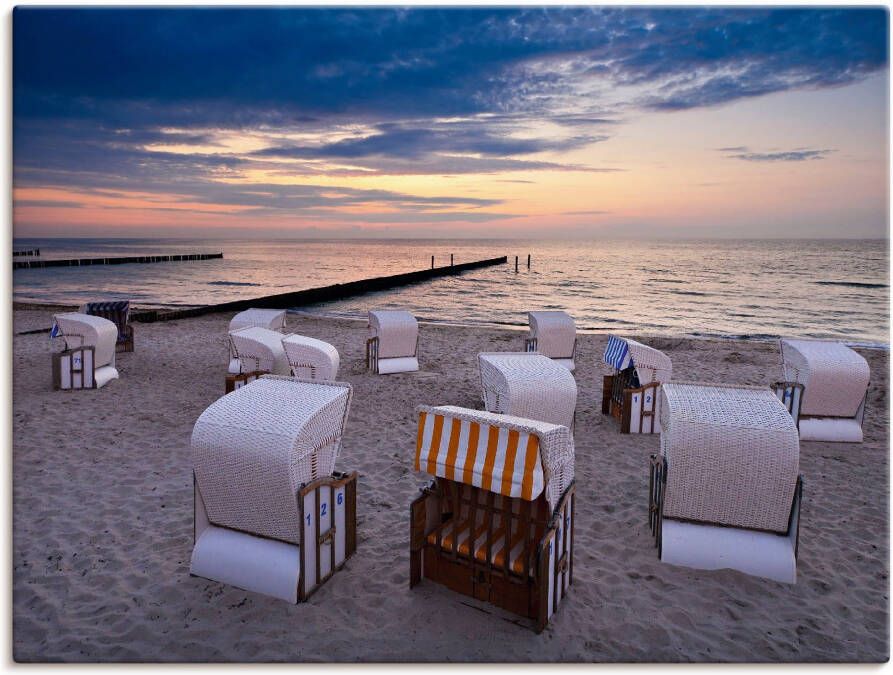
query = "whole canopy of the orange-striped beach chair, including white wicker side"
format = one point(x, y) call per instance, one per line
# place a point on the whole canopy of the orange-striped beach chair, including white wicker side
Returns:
point(508, 455)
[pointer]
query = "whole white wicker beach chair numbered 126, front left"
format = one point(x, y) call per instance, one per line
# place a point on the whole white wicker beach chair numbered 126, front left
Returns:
point(271, 513)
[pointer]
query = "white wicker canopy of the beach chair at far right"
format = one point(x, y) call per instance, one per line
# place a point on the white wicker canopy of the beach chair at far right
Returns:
point(834, 377)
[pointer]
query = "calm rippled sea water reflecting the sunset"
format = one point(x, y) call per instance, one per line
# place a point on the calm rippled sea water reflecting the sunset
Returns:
point(751, 288)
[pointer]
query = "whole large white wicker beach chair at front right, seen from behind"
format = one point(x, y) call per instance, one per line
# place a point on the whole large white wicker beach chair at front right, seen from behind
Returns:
point(725, 489)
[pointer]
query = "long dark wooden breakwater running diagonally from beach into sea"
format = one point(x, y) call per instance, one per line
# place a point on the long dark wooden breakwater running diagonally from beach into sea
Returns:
point(322, 294)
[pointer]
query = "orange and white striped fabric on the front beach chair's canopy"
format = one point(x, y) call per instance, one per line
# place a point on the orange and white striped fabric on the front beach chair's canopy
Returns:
point(492, 457)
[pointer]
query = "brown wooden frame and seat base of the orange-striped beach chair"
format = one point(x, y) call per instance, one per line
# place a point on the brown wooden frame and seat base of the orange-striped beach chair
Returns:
point(538, 579)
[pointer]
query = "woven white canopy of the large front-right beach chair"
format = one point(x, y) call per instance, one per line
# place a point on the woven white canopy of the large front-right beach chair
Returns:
point(733, 455)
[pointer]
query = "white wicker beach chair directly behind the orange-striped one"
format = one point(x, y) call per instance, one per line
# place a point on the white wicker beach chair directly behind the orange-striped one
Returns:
point(528, 385)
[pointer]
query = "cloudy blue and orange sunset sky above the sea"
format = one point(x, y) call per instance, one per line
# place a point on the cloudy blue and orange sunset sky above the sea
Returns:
point(579, 122)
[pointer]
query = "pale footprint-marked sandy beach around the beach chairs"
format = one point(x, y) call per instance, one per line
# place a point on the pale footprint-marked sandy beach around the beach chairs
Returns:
point(102, 531)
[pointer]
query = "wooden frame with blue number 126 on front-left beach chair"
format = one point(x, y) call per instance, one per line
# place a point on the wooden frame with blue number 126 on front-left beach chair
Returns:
point(327, 508)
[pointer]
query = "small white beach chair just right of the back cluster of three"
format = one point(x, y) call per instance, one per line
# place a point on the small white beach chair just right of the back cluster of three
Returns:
point(393, 343)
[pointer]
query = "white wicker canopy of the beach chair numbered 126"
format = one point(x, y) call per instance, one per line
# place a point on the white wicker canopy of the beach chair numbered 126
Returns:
point(253, 449)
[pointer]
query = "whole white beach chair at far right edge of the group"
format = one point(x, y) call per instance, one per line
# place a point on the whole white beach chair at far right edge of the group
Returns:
point(833, 381)
